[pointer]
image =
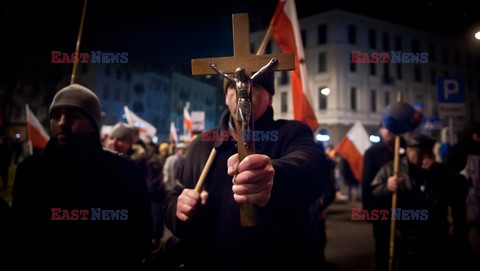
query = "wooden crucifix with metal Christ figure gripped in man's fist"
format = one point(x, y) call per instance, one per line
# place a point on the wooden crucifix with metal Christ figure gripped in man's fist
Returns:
point(244, 66)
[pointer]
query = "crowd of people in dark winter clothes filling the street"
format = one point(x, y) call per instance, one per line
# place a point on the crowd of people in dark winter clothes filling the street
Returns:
point(289, 182)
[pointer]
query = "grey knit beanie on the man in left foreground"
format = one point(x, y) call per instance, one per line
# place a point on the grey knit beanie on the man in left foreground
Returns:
point(79, 97)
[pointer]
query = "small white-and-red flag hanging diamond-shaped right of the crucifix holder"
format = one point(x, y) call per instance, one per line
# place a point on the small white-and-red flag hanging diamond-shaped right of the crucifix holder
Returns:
point(353, 147)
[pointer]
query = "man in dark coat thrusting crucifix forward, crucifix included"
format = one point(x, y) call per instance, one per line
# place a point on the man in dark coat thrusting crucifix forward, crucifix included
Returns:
point(280, 179)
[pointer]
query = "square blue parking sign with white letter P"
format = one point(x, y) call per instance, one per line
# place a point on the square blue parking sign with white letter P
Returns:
point(451, 89)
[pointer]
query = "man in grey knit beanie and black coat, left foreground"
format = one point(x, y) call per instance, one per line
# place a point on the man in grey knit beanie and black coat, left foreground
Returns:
point(76, 203)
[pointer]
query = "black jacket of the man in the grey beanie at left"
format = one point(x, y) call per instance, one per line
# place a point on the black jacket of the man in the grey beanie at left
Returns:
point(82, 177)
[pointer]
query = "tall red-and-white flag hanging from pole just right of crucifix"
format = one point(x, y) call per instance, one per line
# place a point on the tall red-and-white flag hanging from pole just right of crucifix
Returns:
point(286, 33)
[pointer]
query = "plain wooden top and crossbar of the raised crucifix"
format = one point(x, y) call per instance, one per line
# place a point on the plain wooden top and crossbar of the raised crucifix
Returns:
point(242, 56)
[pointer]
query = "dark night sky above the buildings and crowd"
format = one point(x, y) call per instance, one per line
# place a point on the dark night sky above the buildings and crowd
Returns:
point(173, 32)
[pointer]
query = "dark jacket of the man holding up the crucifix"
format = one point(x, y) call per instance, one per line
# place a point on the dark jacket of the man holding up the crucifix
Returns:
point(214, 238)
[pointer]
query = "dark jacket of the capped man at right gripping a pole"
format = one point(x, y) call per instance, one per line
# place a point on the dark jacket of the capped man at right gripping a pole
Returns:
point(434, 190)
